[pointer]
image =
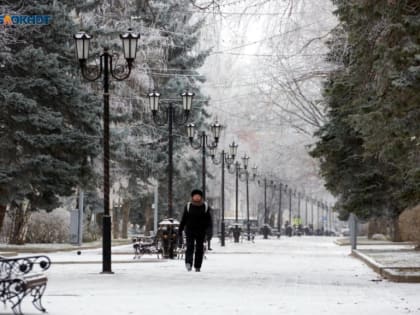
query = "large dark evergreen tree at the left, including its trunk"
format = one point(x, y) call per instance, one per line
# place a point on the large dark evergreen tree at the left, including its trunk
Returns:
point(49, 123)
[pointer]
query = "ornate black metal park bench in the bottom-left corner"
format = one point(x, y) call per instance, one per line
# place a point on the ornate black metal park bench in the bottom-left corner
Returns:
point(21, 277)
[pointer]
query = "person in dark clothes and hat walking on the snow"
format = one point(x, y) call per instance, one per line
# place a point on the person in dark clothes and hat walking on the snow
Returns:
point(197, 222)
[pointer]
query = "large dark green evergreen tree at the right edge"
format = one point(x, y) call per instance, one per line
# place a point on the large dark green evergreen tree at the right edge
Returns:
point(372, 132)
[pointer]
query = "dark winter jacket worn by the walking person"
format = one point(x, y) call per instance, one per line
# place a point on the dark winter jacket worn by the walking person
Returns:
point(196, 220)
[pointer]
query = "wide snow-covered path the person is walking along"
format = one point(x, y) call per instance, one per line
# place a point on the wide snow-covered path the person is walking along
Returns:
point(306, 276)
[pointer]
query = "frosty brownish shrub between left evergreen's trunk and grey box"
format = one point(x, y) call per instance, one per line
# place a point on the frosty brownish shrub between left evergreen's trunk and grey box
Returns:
point(50, 227)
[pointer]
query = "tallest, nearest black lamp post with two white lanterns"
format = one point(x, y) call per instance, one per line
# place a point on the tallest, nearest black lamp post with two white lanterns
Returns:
point(106, 69)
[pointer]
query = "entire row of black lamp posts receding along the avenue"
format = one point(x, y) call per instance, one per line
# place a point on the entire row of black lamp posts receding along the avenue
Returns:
point(106, 70)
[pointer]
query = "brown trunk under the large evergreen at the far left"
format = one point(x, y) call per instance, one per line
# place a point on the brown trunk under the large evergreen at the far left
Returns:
point(20, 215)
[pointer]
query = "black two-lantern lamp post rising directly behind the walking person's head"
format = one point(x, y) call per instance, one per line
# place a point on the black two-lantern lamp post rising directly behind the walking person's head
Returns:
point(204, 144)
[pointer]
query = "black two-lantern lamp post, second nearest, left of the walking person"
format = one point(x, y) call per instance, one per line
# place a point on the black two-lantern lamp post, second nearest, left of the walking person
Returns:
point(170, 118)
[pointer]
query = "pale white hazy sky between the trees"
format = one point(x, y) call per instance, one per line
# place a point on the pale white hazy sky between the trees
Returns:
point(233, 77)
